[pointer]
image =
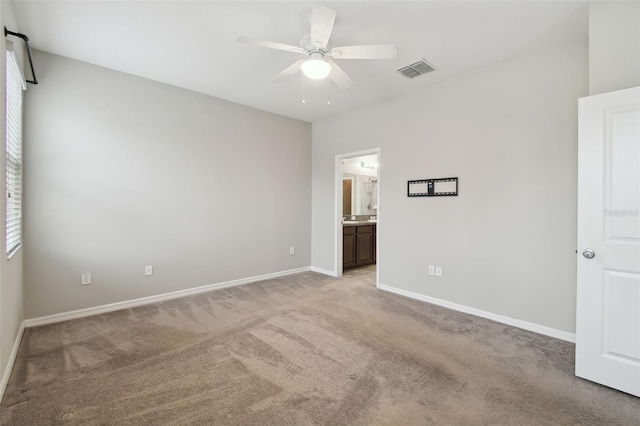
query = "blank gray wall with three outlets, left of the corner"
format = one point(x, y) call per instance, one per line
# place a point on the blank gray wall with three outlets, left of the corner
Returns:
point(123, 172)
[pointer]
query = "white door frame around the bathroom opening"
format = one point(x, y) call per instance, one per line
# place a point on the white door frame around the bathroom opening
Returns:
point(338, 209)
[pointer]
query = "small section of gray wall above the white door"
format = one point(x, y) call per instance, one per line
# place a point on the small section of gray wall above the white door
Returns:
point(614, 45)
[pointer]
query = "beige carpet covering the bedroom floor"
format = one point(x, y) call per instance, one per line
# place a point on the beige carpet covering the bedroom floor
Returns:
point(304, 349)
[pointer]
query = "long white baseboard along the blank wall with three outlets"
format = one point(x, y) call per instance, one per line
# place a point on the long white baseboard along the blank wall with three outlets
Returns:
point(102, 309)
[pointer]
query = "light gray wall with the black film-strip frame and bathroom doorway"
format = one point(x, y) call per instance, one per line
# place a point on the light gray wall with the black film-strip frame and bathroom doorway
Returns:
point(507, 242)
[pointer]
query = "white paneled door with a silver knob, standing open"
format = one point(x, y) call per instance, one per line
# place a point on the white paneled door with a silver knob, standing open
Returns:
point(608, 304)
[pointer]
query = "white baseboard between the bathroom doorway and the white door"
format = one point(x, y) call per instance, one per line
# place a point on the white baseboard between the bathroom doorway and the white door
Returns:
point(536, 328)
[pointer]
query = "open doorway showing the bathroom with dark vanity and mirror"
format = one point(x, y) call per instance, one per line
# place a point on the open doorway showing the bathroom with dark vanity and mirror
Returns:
point(358, 213)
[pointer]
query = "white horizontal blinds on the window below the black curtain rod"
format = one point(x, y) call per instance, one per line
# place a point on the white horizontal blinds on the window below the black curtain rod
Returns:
point(13, 159)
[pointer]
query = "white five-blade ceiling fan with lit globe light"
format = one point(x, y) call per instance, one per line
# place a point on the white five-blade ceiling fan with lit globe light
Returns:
point(317, 47)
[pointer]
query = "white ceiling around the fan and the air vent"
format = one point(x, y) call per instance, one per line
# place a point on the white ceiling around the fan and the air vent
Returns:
point(192, 44)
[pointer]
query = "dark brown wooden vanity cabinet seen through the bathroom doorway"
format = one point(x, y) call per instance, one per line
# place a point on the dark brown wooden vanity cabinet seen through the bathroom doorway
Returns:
point(358, 246)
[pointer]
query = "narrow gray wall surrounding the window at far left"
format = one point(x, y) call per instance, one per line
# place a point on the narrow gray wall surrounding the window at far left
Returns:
point(11, 295)
